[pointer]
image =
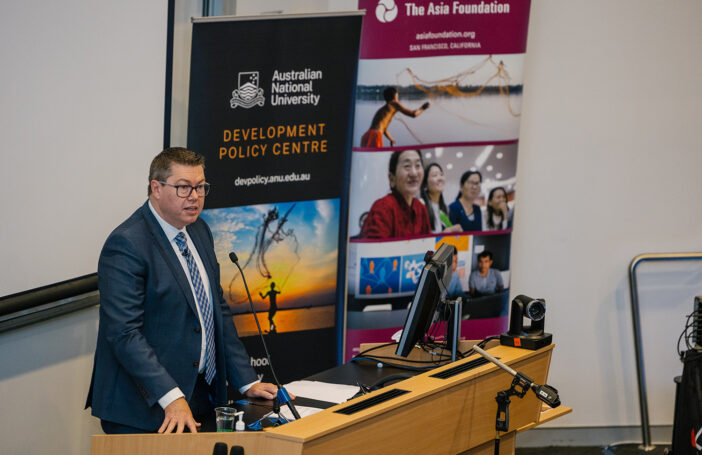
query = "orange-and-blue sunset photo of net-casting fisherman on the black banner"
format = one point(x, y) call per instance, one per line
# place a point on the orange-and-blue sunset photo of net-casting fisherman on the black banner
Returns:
point(288, 253)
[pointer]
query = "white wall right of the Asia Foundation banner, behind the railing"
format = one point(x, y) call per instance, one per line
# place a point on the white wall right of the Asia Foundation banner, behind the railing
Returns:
point(609, 167)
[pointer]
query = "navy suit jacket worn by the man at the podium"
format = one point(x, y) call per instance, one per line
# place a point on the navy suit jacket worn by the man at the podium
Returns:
point(149, 337)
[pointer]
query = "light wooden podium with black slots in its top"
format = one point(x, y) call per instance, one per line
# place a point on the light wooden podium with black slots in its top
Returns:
point(448, 410)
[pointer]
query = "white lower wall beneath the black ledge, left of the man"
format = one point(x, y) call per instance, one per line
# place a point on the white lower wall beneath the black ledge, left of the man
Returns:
point(43, 385)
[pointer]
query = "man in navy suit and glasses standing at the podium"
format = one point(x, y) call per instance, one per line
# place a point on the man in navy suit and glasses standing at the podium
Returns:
point(167, 347)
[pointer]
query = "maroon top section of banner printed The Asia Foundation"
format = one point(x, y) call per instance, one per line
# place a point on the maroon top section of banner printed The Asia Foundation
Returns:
point(401, 29)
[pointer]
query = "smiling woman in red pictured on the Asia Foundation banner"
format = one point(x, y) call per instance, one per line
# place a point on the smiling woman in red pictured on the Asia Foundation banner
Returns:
point(400, 213)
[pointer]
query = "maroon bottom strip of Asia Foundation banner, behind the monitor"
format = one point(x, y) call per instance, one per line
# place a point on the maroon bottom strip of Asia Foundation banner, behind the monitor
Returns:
point(476, 329)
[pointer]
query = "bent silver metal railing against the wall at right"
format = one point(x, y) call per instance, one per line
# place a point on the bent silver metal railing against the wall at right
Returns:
point(633, 288)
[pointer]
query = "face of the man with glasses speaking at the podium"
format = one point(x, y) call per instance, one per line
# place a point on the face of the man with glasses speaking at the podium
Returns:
point(179, 211)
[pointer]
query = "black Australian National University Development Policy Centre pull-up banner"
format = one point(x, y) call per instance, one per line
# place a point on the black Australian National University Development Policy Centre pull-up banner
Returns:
point(271, 103)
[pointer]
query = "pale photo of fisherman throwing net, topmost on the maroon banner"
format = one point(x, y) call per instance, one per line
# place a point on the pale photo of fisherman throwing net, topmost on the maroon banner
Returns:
point(470, 98)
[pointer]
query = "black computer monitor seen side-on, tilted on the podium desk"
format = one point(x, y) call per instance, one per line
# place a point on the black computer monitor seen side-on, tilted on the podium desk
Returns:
point(431, 289)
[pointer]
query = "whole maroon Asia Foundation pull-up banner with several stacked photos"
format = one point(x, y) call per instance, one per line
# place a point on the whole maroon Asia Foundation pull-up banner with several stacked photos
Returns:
point(434, 159)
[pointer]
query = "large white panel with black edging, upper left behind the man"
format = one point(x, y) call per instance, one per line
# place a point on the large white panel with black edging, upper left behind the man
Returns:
point(81, 116)
